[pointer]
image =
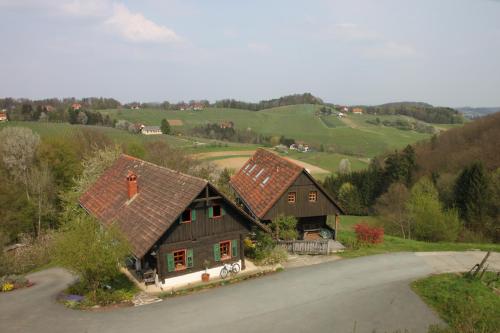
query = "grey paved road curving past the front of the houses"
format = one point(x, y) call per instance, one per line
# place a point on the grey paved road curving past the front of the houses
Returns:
point(370, 293)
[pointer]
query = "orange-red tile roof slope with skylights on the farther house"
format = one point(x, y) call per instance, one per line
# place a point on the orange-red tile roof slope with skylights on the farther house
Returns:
point(263, 179)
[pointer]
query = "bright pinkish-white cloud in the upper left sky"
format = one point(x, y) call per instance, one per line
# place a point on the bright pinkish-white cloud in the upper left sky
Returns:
point(135, 27)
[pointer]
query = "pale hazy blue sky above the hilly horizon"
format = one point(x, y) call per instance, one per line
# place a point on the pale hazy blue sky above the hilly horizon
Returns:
point(444, 52)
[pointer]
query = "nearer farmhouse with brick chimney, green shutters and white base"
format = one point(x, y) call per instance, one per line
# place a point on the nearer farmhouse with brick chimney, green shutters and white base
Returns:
point(176, 224)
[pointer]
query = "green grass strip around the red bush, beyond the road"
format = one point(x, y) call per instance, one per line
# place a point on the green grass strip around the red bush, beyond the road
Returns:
point(347, 237)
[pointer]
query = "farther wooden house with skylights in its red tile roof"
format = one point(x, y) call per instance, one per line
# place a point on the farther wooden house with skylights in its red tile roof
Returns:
point(269, 185)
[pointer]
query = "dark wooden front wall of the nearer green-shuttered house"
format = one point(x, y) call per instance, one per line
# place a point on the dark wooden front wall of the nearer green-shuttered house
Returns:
point(202, 236)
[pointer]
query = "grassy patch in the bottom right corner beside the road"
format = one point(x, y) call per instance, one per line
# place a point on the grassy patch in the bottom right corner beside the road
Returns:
point(467, 305)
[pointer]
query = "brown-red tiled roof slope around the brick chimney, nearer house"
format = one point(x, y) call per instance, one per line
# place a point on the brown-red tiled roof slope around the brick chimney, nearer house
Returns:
point(163, 194)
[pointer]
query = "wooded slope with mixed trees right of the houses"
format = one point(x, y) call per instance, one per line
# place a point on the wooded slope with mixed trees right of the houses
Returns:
point(445, 189)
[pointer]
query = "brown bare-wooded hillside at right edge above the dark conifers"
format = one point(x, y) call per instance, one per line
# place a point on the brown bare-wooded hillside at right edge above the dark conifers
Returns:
point(456, 148)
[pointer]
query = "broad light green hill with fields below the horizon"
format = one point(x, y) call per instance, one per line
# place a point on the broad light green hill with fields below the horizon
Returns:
point(351, 135)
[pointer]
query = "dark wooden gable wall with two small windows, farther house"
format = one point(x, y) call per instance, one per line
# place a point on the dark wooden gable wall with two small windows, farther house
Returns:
point(302, 206)
